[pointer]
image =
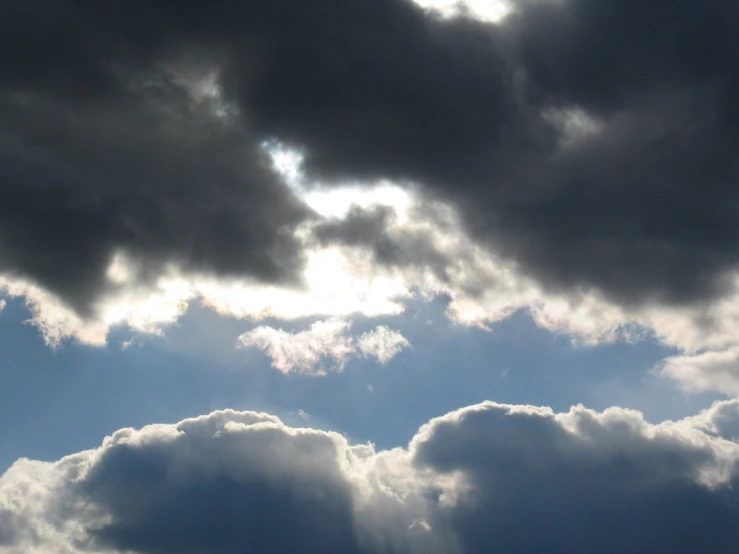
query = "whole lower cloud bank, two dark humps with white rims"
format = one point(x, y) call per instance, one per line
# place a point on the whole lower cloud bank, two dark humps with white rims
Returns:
point(487, 478)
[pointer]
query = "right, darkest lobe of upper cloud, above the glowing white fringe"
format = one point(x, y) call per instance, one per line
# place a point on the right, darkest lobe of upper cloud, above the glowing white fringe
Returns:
point(645, 208)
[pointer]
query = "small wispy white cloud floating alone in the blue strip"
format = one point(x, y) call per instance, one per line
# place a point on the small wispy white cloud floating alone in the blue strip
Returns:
point(304, 351)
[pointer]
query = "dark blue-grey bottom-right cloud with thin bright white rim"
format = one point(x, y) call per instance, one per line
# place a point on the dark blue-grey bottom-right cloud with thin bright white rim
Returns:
point(586, 481)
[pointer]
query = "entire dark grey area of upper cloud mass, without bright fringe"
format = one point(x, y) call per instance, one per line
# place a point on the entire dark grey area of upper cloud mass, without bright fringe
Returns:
point(101, 151)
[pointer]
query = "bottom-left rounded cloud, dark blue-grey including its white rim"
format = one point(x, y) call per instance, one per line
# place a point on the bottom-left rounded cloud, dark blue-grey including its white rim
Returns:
point(228, 482)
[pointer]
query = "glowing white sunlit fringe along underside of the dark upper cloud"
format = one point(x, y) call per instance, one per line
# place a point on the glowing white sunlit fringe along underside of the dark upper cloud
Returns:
point(342, 280)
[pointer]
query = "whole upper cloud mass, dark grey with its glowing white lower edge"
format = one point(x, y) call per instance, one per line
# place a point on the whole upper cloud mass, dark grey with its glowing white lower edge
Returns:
point(527, 159)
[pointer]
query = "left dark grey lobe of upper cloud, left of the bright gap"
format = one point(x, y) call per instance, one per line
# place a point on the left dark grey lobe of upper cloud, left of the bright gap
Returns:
point(106, 146)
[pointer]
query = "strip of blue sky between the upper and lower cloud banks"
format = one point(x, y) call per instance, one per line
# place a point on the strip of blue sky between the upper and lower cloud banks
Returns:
point(54, 402)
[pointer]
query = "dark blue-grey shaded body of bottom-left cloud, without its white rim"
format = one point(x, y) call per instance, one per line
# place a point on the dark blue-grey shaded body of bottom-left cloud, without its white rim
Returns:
point(162, 508)
